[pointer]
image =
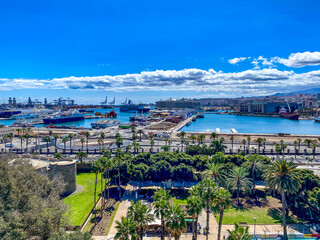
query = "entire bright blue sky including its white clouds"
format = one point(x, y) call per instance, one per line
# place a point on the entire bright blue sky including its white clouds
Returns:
point(184, 48)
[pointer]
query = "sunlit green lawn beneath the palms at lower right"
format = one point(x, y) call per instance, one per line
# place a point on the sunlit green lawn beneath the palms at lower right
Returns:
point(264, 215)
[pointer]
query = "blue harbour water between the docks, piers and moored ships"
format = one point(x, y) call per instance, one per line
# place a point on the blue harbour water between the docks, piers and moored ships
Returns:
point(210, 122)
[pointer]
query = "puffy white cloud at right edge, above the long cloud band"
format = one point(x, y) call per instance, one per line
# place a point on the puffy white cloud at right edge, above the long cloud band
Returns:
point(298, 60)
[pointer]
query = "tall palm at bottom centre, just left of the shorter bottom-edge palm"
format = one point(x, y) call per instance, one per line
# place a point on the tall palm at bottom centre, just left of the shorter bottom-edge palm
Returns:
point(161, 203)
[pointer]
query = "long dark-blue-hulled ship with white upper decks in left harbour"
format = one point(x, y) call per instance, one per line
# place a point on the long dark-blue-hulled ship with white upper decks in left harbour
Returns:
point(62, 117)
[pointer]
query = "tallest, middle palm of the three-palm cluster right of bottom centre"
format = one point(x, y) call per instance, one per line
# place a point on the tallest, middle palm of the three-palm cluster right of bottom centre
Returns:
point(208, 190)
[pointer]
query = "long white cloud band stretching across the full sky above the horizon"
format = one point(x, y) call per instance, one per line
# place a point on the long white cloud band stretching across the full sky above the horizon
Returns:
point(250, 82)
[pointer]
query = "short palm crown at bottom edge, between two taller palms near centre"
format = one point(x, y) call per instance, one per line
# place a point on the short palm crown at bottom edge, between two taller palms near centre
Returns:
point(176, 222)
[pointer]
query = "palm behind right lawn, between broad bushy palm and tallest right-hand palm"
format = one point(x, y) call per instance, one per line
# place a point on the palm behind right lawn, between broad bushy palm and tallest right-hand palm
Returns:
point(255, 165)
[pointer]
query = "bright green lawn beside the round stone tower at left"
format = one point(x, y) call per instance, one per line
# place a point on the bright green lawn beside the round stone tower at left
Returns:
point(81, 203)
